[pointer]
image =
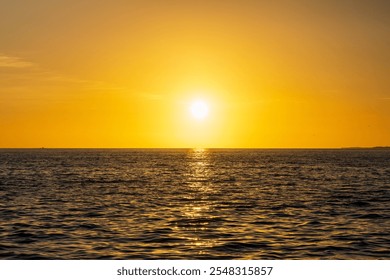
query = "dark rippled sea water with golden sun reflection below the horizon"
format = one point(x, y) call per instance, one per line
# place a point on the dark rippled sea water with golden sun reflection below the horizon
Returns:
point(194, 204)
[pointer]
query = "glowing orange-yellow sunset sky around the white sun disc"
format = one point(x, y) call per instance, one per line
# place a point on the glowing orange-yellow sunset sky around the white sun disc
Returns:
point(124, 74)
